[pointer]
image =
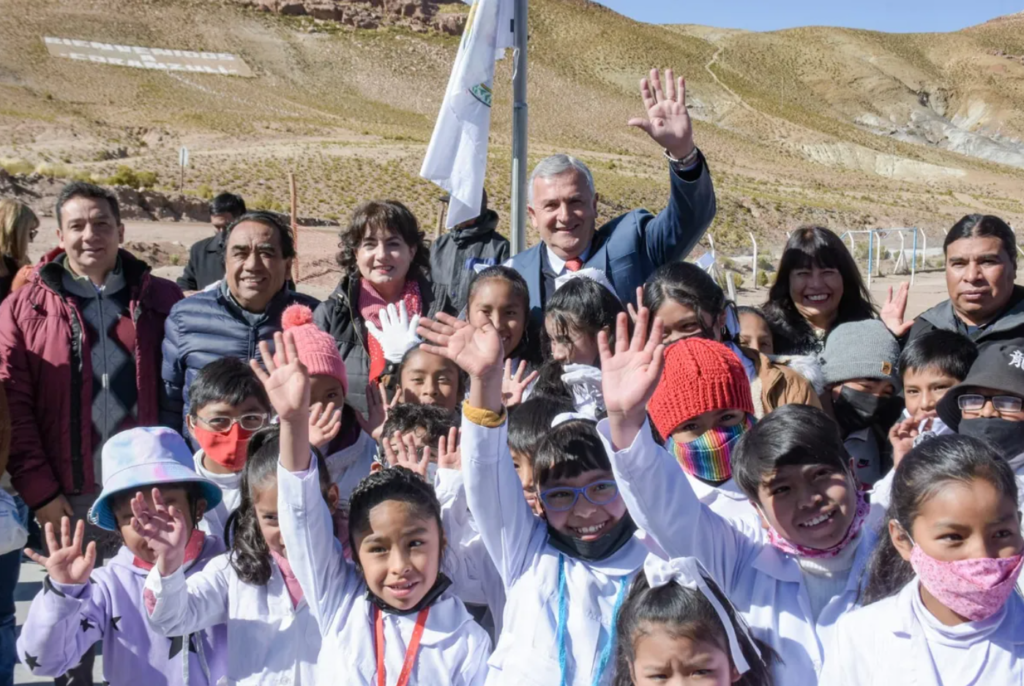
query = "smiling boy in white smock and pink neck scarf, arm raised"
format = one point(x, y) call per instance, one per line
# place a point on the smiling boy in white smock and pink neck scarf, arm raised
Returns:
point(791, 582)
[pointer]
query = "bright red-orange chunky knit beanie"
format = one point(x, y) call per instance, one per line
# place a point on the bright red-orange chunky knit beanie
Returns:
point(699, 376)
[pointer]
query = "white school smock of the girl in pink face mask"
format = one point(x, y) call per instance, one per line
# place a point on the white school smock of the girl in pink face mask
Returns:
point(892, 644)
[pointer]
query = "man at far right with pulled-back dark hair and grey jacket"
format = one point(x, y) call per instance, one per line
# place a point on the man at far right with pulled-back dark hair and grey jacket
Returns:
point(982, 266)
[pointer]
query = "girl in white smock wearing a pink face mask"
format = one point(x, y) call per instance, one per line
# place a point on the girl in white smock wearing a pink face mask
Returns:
point(941, 602)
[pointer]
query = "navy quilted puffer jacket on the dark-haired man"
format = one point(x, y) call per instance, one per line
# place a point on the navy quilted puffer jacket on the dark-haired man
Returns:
point(206, 327)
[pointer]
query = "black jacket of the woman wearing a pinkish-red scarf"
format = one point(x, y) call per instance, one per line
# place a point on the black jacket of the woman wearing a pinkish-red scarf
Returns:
point(339, 317)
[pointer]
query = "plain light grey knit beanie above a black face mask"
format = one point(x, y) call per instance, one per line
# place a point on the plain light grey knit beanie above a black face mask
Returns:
point(863, 350)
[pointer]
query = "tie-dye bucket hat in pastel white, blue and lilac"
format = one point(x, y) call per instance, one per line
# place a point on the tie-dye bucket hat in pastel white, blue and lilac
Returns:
point(145, 458)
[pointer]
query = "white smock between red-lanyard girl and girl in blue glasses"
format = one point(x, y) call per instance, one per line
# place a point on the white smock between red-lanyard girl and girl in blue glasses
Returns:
point(475, 578)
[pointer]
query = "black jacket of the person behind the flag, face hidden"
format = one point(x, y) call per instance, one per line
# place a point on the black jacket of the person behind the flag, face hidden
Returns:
point(454, 256)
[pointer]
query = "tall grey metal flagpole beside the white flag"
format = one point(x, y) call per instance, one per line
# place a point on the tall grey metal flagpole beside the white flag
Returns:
point(520, 120)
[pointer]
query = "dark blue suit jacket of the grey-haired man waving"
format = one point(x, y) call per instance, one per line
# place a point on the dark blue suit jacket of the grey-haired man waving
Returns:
point(631, 247)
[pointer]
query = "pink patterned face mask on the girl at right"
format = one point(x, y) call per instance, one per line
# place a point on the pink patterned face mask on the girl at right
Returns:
point(973, 589)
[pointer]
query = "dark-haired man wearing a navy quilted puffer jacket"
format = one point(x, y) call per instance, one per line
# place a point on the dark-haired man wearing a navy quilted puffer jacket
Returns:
point(233, 319)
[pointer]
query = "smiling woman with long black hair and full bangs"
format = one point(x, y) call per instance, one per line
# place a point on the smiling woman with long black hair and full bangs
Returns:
point(818, 288)
